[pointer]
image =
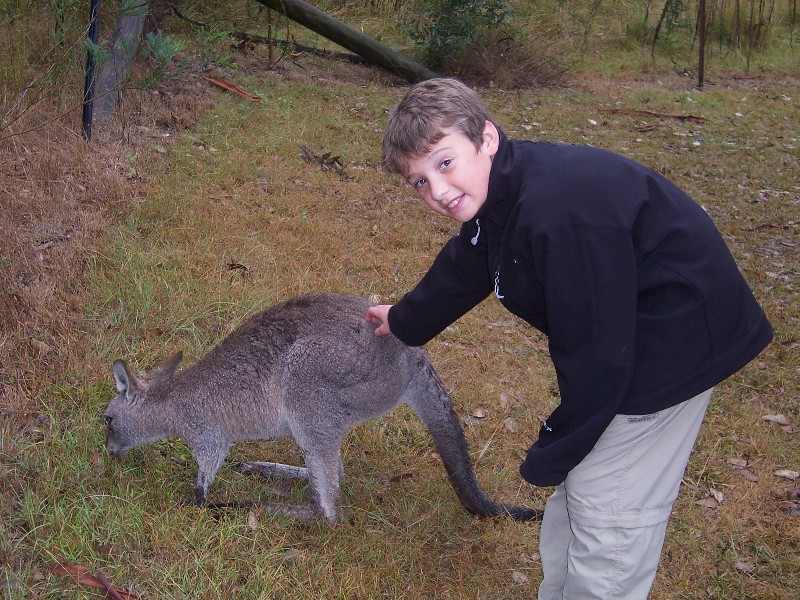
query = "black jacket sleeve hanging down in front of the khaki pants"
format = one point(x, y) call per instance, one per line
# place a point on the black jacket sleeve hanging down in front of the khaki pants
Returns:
point(589, 278)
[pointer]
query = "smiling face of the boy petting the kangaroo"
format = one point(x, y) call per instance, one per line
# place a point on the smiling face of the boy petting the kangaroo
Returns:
point(453, 178)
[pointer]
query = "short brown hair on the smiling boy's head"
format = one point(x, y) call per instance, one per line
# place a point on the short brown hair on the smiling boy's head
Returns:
point(416, 124)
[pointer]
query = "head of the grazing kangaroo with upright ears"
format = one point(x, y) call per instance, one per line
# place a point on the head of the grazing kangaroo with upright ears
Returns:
point(128, 420)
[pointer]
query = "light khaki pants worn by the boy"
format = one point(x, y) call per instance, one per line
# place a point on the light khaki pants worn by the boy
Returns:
point(604, 527)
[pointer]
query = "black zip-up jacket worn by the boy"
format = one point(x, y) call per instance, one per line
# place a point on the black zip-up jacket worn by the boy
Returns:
point(640, 298)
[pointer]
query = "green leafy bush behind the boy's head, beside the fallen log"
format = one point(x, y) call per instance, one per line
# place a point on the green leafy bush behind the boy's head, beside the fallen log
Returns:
point(446, 28)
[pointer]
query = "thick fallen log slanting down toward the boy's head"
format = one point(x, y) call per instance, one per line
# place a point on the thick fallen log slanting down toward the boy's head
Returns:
point(350, 38)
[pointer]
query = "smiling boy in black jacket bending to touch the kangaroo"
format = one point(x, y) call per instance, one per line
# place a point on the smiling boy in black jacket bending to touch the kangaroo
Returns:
point(643, 306)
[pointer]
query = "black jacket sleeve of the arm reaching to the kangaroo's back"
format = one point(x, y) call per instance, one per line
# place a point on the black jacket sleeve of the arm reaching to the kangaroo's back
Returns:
point(457, 281)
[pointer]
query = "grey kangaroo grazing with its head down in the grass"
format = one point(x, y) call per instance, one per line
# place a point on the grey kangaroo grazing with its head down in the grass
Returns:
point(311, 368)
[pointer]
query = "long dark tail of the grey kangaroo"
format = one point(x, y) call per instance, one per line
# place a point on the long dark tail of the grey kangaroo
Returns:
point(433, 405)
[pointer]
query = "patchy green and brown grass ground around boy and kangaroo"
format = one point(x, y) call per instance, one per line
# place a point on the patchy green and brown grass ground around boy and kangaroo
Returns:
point(164, 243)
